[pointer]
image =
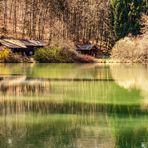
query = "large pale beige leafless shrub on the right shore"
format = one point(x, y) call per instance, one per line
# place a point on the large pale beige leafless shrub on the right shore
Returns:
point(133, 49)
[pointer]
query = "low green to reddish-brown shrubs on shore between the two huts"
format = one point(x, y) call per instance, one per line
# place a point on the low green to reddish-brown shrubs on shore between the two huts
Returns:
point(61, 55)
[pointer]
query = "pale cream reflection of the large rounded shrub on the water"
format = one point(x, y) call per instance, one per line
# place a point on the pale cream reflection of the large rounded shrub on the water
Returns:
point(132, 77)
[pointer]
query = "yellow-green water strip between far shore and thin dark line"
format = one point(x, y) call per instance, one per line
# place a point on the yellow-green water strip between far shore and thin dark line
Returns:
point(56, 70)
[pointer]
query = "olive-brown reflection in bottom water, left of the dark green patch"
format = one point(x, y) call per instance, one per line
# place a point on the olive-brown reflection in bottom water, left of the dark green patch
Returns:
point(55, 131)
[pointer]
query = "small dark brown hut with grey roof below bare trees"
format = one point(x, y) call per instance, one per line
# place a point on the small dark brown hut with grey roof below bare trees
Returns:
point(89, 49)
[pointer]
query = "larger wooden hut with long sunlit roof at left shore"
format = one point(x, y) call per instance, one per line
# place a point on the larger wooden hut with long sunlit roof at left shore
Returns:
point(24, 47)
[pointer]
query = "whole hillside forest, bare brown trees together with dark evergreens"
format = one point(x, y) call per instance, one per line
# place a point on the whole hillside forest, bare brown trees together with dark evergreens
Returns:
point(103, 21)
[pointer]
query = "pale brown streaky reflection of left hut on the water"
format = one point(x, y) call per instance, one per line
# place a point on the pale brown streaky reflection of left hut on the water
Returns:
point(22, 85)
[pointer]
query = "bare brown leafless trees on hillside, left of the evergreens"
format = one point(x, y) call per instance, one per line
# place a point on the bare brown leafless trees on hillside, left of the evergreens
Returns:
point(56, 19)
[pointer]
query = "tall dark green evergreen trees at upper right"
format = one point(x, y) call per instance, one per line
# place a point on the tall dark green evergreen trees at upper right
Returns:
point(125, 16)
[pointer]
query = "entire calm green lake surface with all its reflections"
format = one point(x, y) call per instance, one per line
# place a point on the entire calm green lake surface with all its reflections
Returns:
point(73, 106)
